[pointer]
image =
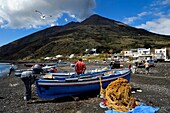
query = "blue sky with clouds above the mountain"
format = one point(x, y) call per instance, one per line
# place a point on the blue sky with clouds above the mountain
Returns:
point(19, 18)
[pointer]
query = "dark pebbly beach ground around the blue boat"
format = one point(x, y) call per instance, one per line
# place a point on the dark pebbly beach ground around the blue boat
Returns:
point(155, 91)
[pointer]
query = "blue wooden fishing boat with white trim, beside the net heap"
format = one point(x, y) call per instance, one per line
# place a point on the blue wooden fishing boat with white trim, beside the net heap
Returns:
point(55, 88)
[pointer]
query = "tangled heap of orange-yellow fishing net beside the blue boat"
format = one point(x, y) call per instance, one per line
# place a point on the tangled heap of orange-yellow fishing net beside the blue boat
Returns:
point(118, 95)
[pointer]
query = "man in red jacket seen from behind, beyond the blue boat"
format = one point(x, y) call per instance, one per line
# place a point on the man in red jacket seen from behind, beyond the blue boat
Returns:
point(80, 66)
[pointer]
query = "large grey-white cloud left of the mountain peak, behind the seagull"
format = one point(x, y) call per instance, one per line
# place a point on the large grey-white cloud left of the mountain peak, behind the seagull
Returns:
point(21, 13)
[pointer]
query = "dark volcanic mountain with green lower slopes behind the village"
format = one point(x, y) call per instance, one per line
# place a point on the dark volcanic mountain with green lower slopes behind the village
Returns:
point(94, 32)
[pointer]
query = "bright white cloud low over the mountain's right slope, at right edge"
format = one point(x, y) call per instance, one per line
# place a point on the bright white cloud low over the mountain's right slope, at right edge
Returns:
point(160, 26)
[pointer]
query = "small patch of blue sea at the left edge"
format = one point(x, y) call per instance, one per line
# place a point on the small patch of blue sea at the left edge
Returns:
point(4, 69)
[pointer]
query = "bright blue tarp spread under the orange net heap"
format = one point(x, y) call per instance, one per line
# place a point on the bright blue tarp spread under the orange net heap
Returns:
point(143, 108)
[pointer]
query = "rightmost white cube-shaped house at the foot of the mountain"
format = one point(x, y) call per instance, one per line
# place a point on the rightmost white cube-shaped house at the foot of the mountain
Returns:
point(161, 53)
